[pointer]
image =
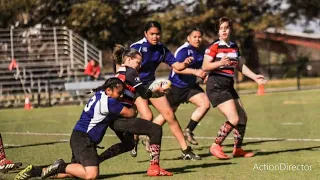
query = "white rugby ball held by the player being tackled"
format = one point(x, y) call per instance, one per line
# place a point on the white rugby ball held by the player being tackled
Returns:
point(160, 87)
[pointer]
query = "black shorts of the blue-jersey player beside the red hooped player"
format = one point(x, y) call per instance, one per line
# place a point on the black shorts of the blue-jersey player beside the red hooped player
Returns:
point(177, 95)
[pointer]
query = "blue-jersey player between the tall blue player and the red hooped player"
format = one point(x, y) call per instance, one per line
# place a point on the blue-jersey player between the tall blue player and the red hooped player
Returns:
point(184, 87)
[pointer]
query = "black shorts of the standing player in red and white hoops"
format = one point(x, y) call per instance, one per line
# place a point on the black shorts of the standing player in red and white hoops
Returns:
point(220, 89)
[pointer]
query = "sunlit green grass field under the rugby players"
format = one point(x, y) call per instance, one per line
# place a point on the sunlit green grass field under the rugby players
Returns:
point(283, 129)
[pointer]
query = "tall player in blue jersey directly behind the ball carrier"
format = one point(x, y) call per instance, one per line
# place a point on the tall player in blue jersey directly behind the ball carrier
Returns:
point(153, 53)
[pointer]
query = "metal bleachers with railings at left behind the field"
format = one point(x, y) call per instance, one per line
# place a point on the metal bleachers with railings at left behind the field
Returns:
point(46, 59)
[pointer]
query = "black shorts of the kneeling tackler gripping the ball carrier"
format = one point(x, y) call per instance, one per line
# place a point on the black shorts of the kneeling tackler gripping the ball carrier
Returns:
point(84, 150)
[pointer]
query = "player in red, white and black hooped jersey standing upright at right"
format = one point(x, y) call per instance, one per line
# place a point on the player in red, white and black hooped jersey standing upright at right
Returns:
point(220, 60)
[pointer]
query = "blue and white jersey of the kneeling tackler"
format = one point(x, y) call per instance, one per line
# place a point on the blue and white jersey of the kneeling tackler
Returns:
point(97, 114)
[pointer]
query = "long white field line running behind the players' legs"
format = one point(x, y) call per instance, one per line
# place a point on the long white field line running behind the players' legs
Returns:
point(170, 137)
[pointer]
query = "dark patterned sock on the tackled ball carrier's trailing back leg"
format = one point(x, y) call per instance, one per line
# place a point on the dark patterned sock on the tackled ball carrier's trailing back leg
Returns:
point(115, 150)
